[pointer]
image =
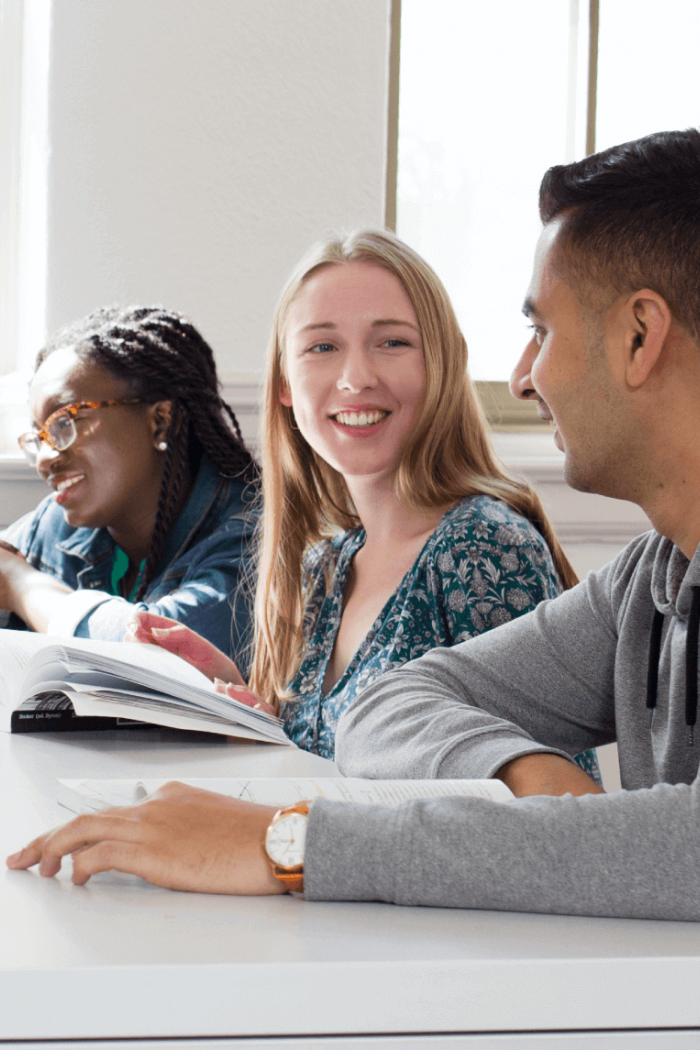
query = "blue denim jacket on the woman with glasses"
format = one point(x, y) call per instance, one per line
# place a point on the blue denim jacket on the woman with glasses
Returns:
point(206, 557)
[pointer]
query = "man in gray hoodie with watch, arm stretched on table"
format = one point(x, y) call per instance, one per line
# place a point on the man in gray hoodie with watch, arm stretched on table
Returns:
point(614, 364)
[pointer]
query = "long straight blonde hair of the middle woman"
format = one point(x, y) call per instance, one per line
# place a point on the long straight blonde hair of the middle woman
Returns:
point(448, 457)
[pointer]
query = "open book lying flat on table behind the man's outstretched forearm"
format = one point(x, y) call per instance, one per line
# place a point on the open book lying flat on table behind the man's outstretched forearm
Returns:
point(89, 796)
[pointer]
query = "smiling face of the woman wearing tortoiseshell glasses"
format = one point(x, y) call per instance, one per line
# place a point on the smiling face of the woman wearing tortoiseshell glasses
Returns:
point(111, 477)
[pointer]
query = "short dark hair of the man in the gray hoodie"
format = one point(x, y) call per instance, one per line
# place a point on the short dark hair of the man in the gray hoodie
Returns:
point(632, 220)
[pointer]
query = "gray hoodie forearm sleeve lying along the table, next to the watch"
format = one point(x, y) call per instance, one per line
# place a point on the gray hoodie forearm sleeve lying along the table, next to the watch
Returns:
point(632, 855)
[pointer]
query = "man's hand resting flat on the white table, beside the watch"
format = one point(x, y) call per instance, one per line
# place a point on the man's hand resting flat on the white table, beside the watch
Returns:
point(180, 838)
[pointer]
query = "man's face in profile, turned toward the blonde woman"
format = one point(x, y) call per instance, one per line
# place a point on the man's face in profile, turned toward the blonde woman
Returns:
point(565, 368)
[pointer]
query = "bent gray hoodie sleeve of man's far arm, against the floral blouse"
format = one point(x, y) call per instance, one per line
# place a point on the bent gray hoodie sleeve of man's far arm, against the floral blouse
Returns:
point(541, 683)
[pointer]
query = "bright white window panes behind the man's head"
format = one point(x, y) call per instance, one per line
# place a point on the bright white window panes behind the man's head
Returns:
point(494, 94)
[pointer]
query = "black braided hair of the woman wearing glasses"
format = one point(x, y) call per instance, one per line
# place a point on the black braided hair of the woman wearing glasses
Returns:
point(163, 358)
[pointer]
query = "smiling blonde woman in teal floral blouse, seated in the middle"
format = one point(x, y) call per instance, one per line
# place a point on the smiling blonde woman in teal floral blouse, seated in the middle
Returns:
point(390, 527)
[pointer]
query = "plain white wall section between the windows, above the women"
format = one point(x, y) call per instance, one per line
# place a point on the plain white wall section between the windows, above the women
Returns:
point(198, 150)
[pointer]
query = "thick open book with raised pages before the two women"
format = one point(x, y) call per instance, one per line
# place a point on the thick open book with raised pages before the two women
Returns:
point(59, 684)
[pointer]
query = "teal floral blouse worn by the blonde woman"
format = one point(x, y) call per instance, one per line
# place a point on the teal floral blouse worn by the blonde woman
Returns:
point(484, 565)
